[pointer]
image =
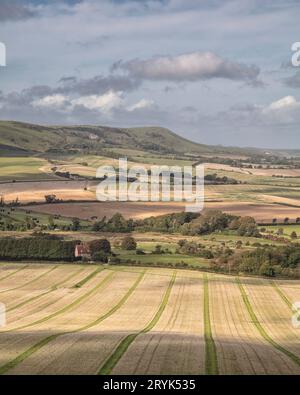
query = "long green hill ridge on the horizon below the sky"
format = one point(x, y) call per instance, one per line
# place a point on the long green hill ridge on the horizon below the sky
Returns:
point(18, 138)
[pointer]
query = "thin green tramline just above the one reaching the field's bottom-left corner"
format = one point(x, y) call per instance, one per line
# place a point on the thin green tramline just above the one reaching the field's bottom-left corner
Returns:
point(70, 306)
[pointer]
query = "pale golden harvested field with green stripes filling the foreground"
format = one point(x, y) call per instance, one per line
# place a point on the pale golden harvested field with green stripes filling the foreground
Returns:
point(87, 319)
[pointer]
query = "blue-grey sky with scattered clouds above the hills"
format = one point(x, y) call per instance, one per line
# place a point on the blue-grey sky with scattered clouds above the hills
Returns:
point(214, 71)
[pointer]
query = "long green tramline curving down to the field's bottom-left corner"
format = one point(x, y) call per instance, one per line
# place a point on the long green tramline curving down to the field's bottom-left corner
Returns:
point(26, 354)
